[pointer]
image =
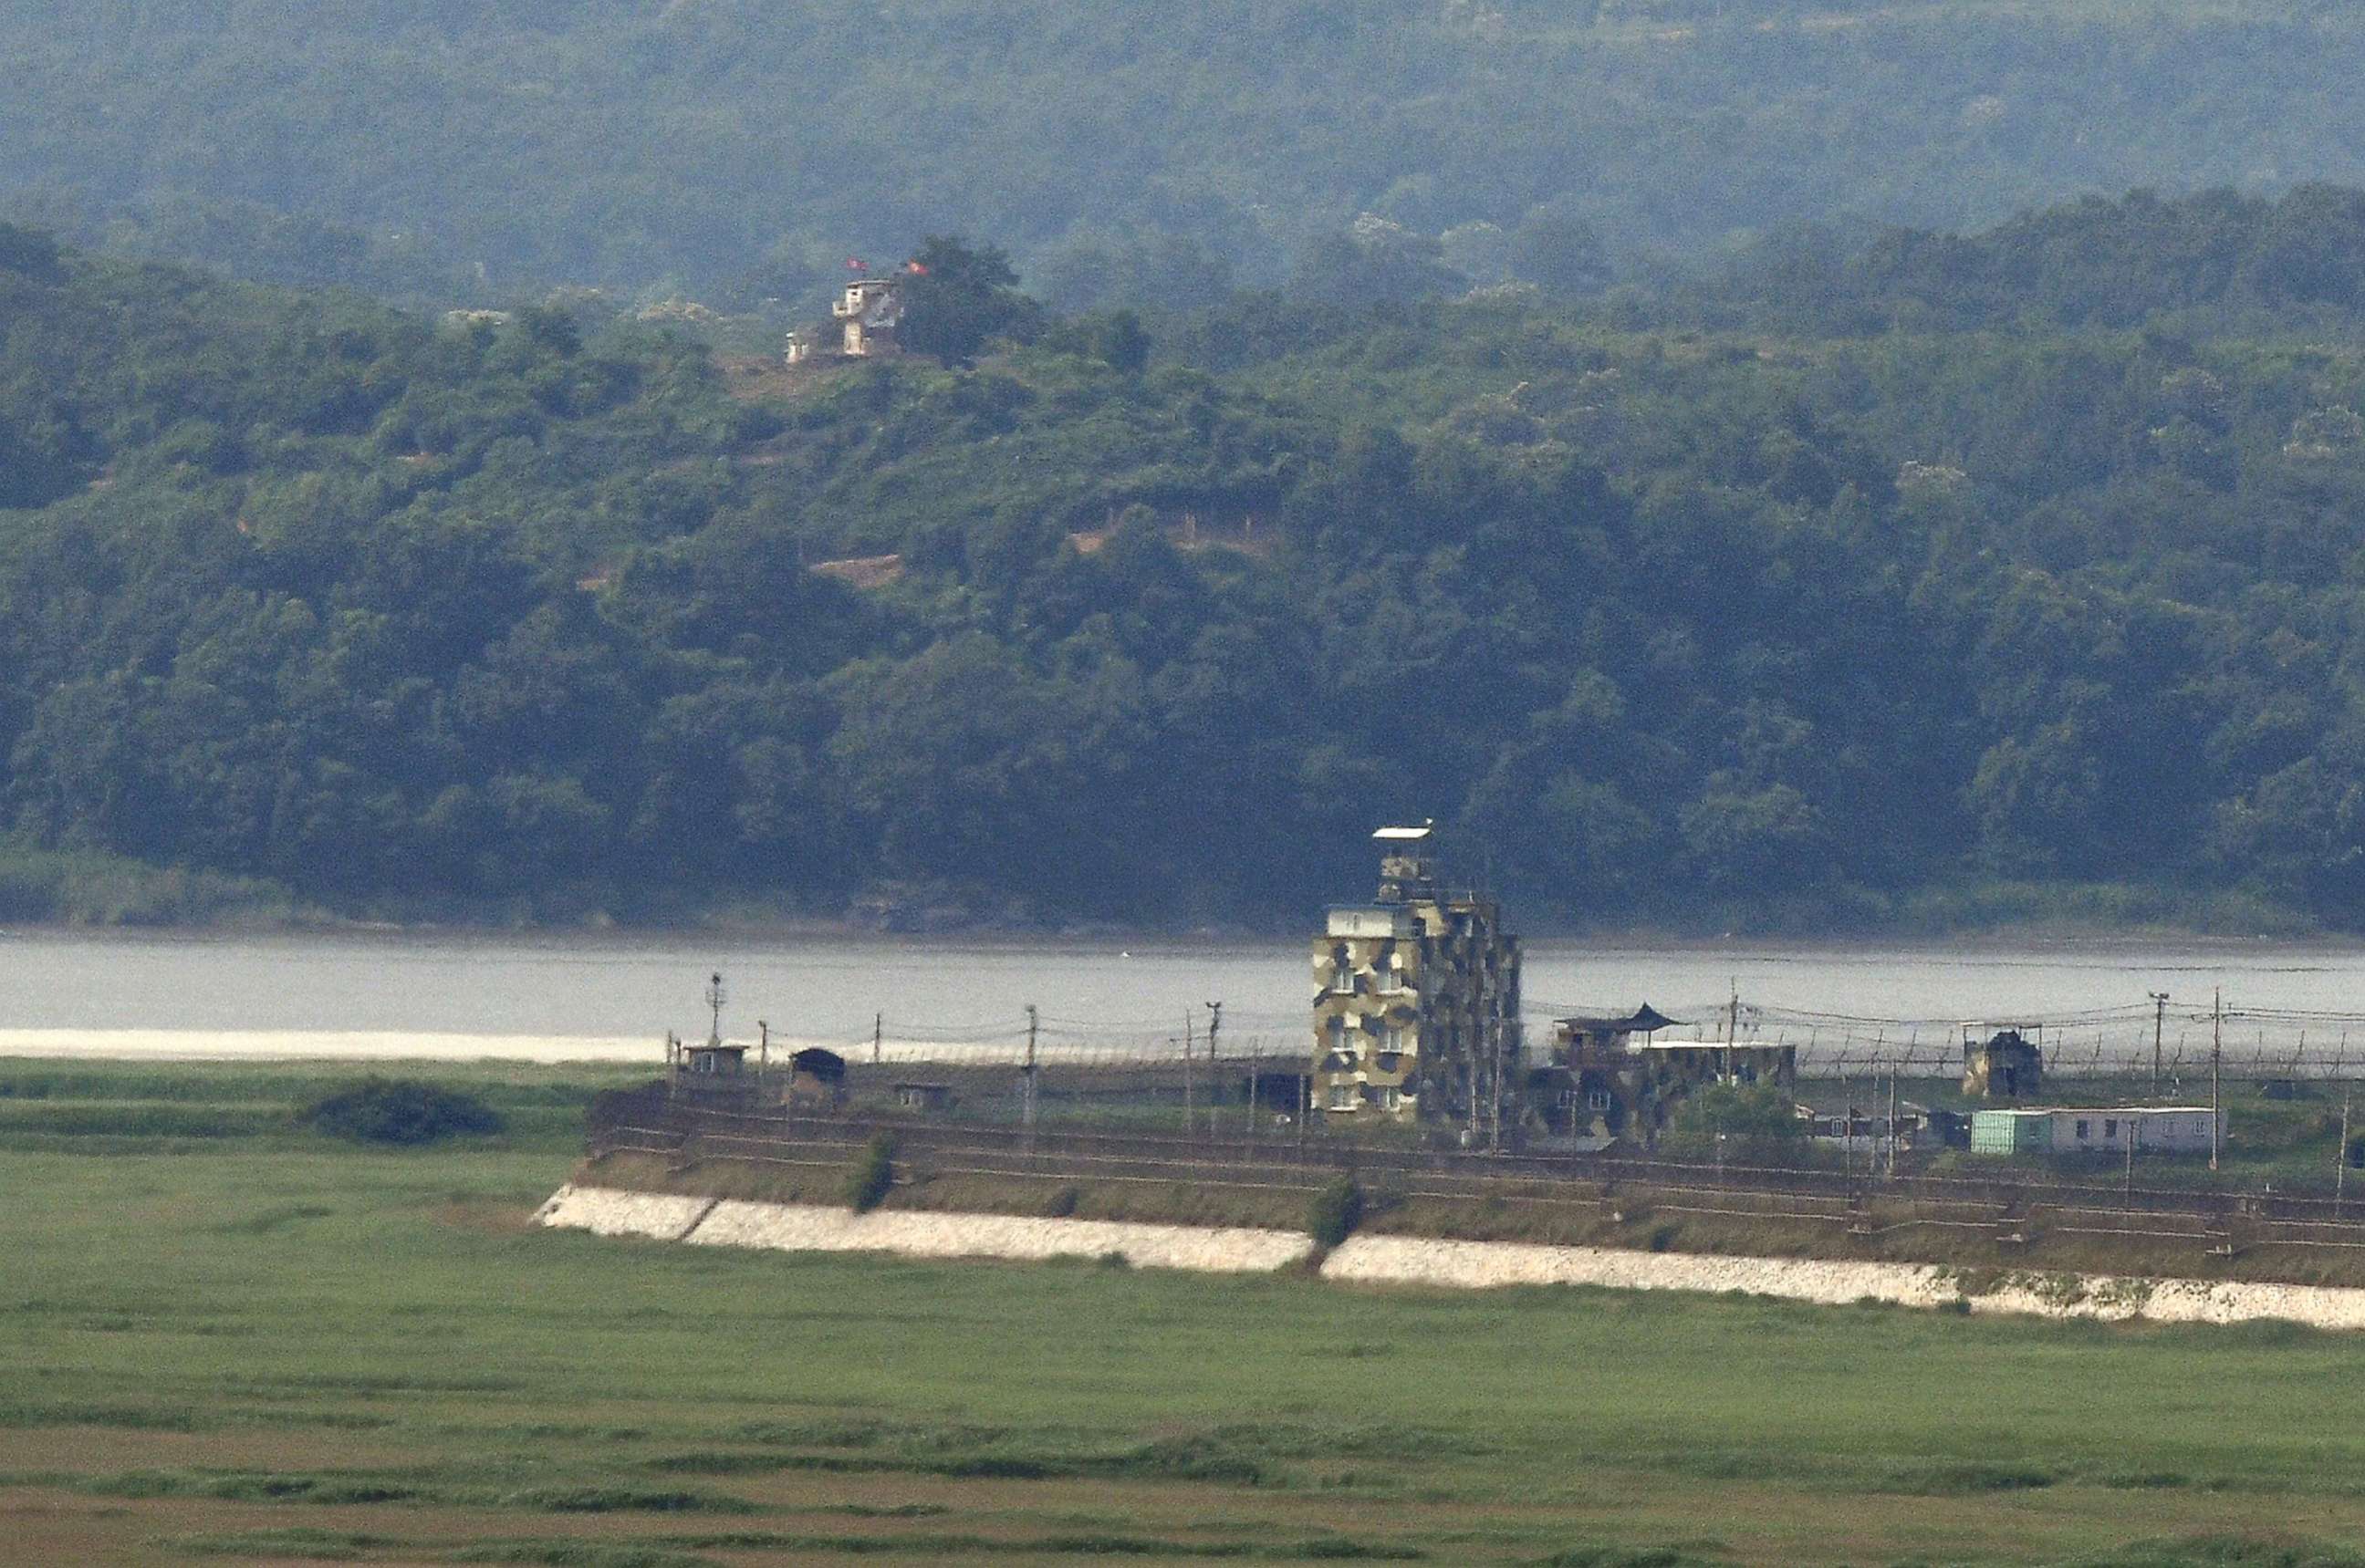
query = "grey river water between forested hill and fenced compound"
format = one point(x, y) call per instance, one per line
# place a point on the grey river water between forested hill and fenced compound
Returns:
point(614, 997)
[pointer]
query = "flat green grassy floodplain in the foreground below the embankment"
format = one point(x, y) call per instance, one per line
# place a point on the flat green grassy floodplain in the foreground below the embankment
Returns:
point(231, 1340)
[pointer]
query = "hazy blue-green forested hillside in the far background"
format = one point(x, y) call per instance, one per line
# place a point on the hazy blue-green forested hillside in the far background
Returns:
point(469, 153)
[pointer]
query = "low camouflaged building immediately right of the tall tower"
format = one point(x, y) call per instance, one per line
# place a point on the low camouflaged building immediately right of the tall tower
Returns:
point(1614, 1080)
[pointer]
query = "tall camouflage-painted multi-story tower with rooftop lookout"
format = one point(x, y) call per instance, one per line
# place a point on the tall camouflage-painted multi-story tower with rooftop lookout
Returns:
point(1418, 999)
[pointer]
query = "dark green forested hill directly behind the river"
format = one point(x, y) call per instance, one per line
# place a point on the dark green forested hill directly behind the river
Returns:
point(1704, 607)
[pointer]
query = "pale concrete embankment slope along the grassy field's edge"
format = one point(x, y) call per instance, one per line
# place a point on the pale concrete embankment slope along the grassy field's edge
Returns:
point(1437, 1262)
